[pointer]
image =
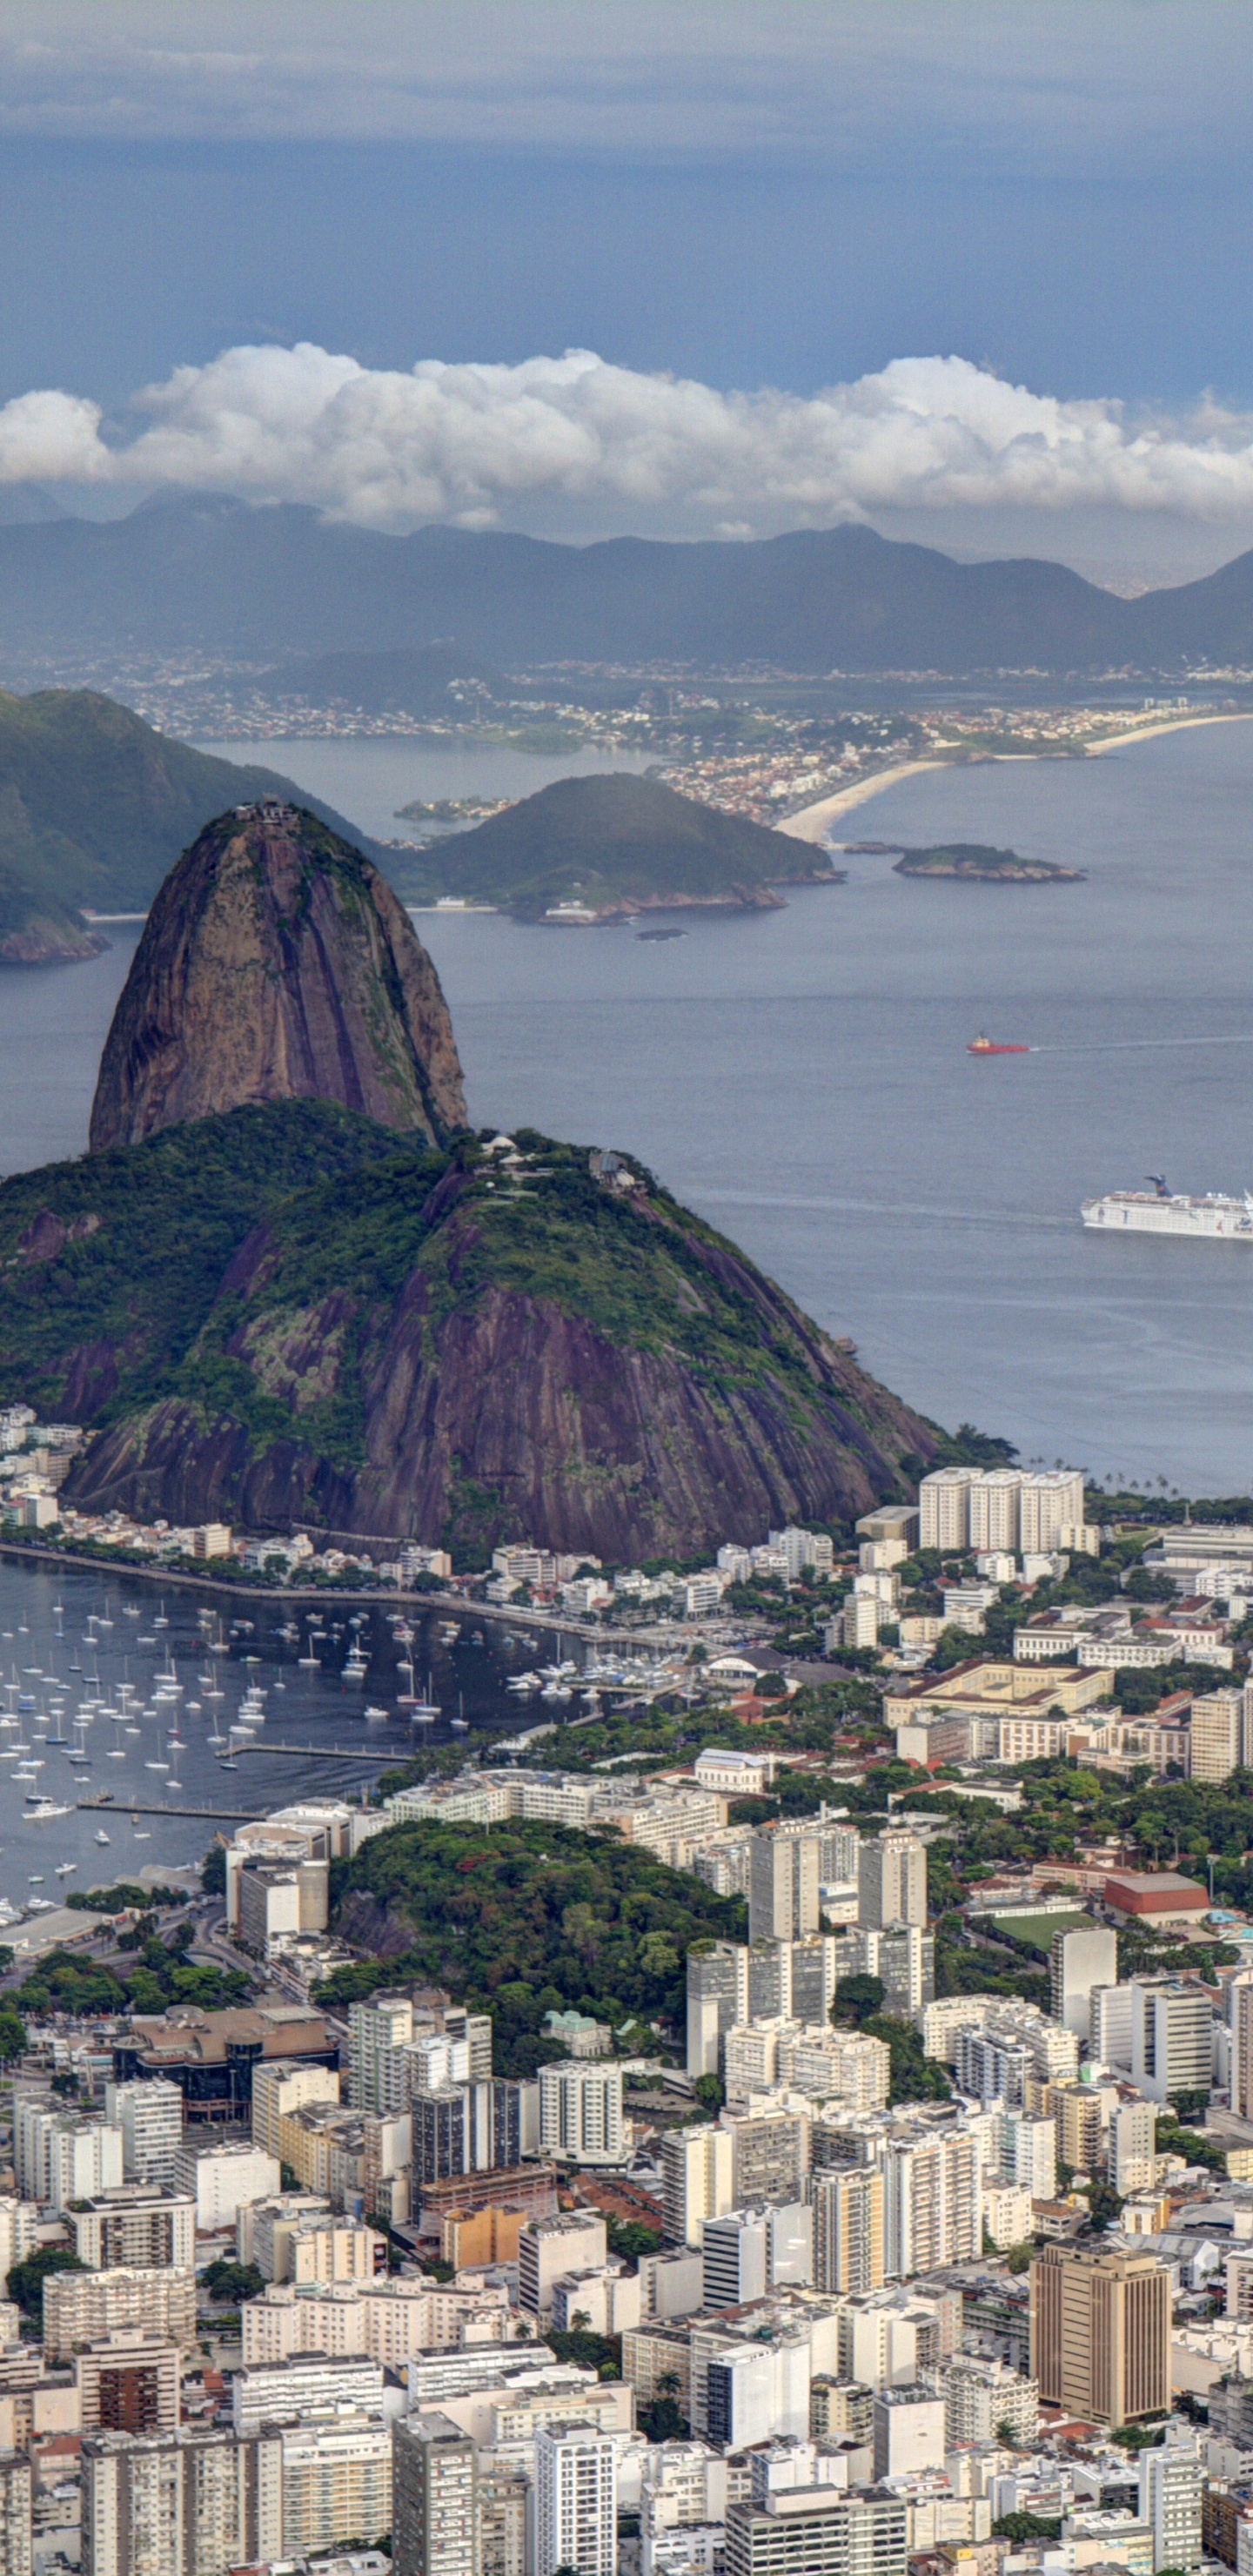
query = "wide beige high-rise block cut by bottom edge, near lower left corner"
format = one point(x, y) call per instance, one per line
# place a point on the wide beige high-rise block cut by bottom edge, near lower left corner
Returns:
point(182, 2505)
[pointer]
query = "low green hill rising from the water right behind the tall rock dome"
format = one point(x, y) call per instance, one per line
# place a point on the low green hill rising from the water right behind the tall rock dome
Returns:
point(615, 844)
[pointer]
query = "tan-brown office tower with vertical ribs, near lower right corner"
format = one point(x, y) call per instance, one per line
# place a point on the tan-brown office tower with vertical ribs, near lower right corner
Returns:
point(1102, 2333)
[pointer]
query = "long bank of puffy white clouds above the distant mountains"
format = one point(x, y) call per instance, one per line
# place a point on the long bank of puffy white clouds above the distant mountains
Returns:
point(607, 447)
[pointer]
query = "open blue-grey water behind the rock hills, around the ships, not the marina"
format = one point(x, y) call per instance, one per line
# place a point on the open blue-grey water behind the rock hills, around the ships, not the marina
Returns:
point(803, 1081)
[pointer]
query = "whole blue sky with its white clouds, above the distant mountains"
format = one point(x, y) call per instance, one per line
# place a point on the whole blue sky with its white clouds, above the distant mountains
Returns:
point(746, 197)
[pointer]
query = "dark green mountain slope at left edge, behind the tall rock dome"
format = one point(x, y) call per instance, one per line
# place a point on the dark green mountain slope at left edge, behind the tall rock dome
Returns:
point(97, 808)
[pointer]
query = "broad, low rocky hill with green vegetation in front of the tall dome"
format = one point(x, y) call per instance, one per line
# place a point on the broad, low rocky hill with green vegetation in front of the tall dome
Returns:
point(295, 1315)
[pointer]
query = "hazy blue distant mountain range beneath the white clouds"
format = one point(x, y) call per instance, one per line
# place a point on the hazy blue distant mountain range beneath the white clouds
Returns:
point(275, 583)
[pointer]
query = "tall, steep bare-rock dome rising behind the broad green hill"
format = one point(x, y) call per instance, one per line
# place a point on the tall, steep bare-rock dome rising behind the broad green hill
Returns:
point(277, 965)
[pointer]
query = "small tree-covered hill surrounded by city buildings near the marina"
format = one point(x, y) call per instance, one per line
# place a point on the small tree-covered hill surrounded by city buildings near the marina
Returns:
point(525, 1918)
